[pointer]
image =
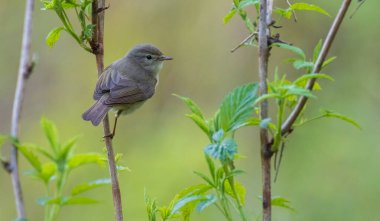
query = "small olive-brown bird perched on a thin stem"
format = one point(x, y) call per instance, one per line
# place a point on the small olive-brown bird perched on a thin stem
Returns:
point(126, 84)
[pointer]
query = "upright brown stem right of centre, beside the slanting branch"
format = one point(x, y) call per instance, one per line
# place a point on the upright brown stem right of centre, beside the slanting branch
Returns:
point(266, 154)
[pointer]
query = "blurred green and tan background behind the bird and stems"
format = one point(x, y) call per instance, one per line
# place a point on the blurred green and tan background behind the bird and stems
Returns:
point(330, 170)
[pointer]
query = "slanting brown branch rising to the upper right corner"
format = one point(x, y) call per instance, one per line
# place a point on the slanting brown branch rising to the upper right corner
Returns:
point(287, 125)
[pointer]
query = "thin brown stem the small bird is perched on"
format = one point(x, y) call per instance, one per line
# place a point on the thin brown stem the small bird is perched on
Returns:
point(97, 45)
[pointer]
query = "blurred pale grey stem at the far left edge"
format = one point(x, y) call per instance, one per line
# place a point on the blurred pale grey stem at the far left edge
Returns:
point(24, 71)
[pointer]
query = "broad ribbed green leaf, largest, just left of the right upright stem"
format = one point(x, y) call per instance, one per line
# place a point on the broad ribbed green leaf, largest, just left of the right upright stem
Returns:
point(237, 107)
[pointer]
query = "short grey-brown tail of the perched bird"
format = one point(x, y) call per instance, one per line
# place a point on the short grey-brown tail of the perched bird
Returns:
point(97, 112)
